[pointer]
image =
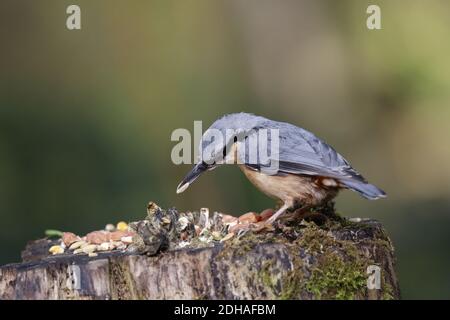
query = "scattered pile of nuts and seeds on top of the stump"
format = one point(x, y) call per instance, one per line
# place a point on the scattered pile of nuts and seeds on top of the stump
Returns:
point(163, 230)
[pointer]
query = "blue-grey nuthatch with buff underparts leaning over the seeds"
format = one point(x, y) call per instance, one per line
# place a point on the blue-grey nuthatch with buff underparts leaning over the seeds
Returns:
point(307, 172)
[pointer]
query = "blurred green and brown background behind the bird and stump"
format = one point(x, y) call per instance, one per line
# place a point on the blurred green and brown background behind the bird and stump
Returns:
point(86, 116)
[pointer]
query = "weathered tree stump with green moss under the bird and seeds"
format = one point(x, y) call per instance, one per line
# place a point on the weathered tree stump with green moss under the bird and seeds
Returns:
point(305, 260)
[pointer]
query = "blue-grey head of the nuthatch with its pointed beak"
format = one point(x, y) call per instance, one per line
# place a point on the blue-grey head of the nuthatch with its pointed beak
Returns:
point(218, 144)
